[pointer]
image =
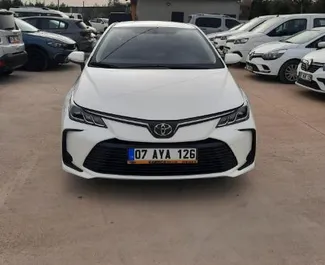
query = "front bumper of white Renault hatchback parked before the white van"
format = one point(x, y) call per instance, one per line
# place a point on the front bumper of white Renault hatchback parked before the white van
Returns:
point(260, 66)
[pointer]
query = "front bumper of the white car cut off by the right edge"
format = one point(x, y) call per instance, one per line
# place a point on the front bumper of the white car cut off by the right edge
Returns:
point(317, 83)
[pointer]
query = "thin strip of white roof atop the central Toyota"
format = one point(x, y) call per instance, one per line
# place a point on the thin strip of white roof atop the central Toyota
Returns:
point(154, 24)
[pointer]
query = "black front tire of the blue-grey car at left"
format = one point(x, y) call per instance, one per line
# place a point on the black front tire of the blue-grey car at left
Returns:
point(37, 60)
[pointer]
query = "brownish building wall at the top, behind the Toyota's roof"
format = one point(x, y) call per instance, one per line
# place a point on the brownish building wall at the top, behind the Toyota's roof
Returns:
point(162, 9)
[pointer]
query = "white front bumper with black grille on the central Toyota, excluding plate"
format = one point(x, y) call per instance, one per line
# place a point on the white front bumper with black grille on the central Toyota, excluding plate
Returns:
point(94, 152)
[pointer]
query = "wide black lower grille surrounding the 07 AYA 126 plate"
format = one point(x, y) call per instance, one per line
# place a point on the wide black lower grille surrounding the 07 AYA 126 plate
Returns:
point(110, 157)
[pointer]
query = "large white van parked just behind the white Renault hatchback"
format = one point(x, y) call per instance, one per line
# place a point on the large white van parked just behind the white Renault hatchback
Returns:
point(274, 29)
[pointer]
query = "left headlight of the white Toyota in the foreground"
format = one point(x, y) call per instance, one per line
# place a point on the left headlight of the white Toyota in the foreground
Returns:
point(78, 114)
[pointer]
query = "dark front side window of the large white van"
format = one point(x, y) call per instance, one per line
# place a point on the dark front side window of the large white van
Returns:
point(289, 27)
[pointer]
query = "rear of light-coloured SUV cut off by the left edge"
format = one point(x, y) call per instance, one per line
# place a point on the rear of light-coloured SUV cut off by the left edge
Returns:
point(12, 48)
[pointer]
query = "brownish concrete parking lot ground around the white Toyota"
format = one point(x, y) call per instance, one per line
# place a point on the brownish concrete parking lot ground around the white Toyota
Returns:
point(273, 215)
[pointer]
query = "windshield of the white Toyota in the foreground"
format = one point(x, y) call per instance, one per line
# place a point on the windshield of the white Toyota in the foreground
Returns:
point(161, 47)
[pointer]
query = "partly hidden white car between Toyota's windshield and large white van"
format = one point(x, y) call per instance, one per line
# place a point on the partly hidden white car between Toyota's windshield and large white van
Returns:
point(220, 39)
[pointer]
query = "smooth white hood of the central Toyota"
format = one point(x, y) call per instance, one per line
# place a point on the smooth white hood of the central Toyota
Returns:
point(157, 94)
